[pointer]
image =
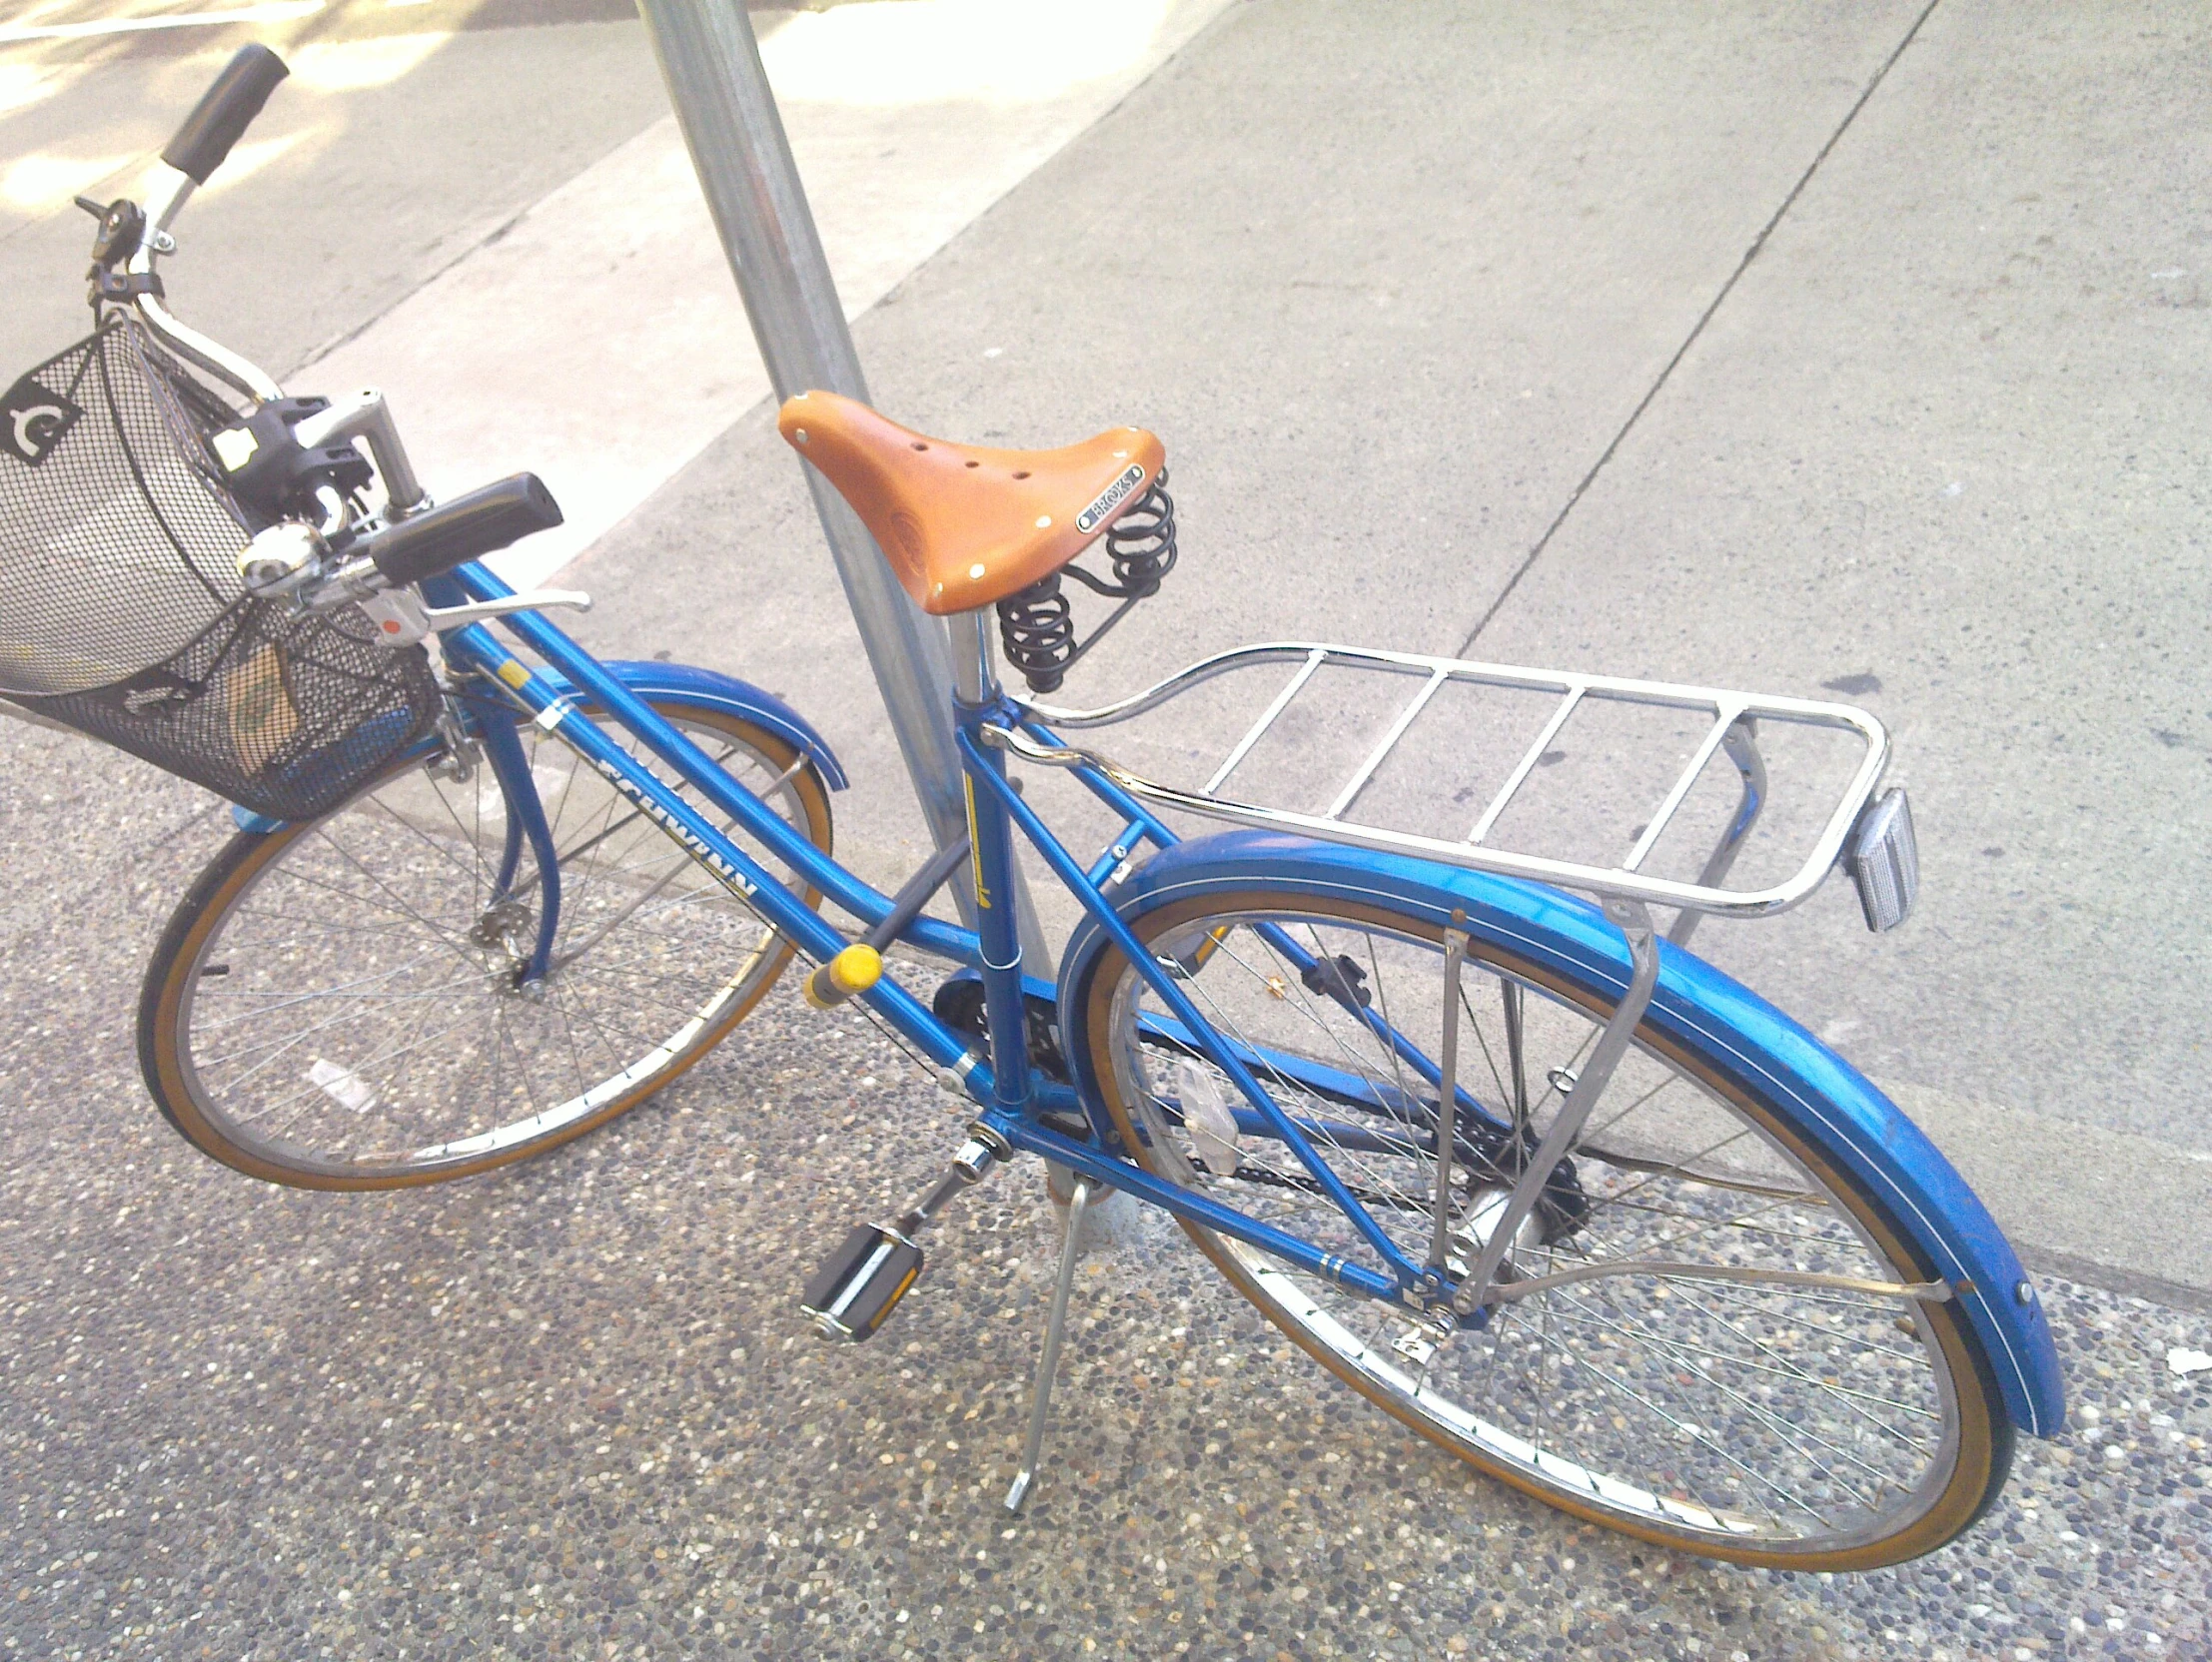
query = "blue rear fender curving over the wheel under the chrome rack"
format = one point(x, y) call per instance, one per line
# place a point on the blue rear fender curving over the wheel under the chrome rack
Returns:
point(1713, 1018)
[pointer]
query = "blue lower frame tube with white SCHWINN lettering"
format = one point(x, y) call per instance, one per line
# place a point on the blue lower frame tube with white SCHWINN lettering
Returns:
point(700, 839)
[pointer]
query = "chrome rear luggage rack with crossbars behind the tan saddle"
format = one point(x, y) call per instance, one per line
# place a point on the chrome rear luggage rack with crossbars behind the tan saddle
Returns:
point(1733, 733)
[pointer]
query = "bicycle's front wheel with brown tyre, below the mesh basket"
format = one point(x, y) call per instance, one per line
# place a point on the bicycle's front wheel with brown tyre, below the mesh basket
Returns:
point(335, 1004)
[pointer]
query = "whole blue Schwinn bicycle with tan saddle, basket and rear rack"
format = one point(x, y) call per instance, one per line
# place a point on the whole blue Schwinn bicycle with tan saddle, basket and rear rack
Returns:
point(1514, 1166)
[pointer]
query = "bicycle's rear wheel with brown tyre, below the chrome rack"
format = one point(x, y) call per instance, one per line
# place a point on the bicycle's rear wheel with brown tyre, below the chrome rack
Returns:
point(1744, 1420)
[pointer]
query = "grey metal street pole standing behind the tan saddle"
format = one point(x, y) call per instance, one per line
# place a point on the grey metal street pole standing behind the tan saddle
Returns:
point(735, 134)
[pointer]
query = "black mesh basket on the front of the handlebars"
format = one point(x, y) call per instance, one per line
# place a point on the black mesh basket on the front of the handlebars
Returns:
point(123, 611)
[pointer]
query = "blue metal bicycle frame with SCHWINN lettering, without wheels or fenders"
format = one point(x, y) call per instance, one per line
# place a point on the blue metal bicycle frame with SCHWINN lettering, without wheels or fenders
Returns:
point(1003, 1084)
